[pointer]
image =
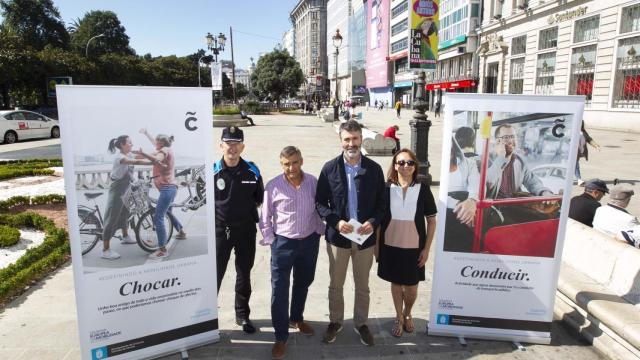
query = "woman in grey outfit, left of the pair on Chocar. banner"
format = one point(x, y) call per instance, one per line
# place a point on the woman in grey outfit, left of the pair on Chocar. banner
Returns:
point(117, 214)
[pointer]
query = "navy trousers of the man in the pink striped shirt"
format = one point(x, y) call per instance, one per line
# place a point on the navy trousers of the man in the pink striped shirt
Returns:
point(301, 256)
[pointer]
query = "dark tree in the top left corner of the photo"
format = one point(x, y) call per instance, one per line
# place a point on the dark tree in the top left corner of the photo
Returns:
point(36, 22)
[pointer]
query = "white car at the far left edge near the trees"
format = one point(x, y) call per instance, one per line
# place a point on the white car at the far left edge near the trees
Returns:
point(18, 125)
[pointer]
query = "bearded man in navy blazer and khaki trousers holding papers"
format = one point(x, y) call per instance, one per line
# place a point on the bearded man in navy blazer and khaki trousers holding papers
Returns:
point(350, 186)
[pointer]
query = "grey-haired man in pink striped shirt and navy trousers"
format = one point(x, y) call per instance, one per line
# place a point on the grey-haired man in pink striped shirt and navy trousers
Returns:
point(291, 226)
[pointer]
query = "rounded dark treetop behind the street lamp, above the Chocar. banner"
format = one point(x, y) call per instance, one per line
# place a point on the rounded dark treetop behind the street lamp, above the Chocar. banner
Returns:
point(114, 41)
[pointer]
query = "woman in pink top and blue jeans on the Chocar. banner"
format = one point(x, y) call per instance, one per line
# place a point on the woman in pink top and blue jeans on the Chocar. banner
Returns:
point(164, 181)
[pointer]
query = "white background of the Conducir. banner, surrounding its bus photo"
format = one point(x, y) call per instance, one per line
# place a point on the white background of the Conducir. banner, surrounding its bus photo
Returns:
point(457, 294)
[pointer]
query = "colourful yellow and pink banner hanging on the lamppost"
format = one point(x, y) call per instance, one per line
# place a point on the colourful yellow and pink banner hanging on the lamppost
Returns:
point(423, 34)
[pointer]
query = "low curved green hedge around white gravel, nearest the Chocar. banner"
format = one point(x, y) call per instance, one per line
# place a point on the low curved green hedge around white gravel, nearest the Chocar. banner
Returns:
point(36, 262)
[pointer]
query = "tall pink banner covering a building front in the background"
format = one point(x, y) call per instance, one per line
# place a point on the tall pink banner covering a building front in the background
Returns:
point(377, 43)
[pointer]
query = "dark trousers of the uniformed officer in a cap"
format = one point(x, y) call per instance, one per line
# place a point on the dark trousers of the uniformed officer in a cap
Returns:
point(241, 239)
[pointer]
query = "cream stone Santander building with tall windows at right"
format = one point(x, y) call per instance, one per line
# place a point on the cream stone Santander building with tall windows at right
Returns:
point(581, 47)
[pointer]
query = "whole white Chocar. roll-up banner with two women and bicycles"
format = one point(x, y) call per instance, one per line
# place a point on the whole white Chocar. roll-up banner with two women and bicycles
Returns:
point(132, 304)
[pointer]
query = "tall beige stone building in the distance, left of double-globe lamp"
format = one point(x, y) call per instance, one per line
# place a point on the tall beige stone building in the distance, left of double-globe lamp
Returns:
point(309, 19)
